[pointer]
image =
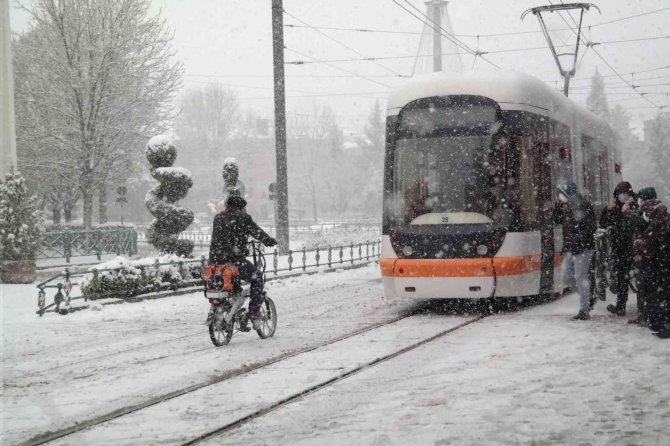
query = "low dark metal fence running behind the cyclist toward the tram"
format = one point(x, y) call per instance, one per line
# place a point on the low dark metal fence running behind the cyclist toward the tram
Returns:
point(296, 262)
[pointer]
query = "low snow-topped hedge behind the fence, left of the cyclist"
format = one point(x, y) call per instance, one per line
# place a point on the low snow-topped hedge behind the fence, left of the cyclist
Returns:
point(127, 278)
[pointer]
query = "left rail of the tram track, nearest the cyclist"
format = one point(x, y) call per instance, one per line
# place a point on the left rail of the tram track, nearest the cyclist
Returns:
point(62, 433)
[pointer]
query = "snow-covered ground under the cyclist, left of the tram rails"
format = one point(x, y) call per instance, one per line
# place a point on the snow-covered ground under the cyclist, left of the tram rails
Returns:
point(61, 369)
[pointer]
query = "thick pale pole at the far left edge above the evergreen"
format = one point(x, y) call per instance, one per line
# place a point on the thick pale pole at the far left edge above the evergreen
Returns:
point(7, 129)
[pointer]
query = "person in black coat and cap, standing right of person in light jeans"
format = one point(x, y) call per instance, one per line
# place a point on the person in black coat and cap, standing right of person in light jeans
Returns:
point(621, 230)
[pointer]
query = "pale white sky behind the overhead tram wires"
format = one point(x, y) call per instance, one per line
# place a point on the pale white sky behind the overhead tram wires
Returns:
point(230, 41)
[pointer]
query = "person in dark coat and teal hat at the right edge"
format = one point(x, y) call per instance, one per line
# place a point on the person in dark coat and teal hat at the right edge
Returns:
point(652, 249)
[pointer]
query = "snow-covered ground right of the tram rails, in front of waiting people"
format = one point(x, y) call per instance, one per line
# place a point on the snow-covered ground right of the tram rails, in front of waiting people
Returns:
point(530, 377)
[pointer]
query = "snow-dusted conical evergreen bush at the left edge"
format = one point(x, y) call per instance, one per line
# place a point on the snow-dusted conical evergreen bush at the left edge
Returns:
point(21, 225)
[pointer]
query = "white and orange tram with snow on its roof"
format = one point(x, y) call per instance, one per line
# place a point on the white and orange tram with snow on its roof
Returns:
point(473, 165)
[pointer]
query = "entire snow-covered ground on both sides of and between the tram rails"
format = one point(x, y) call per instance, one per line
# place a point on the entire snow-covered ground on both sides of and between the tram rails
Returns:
point(531, 376)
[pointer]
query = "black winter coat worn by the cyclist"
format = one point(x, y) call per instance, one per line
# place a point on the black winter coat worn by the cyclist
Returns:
point(230, 237)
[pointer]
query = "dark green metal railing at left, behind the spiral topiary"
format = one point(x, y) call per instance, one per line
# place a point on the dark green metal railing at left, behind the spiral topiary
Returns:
point(70, 243)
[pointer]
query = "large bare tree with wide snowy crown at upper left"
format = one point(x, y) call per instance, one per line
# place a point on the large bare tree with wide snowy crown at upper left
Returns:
point(94, 79)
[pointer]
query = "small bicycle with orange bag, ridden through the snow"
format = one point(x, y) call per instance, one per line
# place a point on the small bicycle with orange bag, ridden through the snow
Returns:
point(227, 314)
